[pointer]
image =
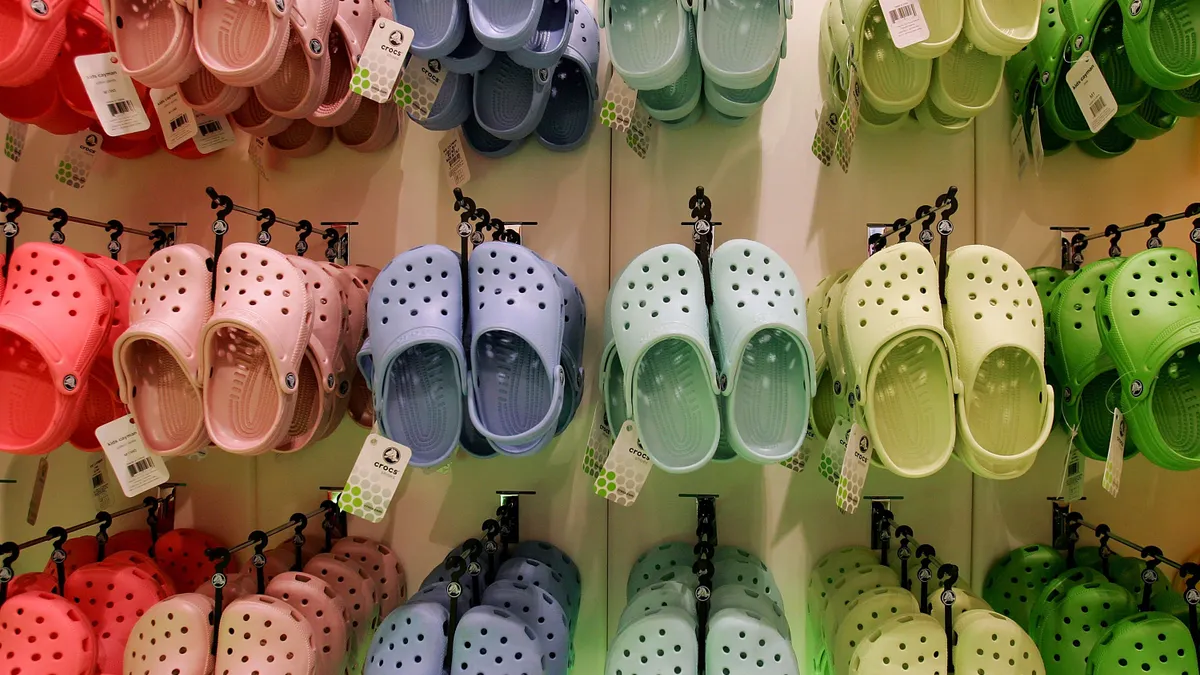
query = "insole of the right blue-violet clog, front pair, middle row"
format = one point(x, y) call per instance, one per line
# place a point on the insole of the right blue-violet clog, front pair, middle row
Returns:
point(513, 387)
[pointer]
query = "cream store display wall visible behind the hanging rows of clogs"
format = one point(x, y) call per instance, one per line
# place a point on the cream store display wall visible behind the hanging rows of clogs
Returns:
point(599, 208)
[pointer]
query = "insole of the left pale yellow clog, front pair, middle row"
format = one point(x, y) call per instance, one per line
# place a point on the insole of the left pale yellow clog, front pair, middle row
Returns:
point(911, 404)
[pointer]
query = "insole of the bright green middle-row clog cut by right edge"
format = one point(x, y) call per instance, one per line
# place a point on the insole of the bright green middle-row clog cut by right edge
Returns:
point(1177, 402)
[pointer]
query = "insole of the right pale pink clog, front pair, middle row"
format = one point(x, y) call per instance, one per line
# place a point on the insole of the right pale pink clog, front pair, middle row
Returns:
point(242, 391)
